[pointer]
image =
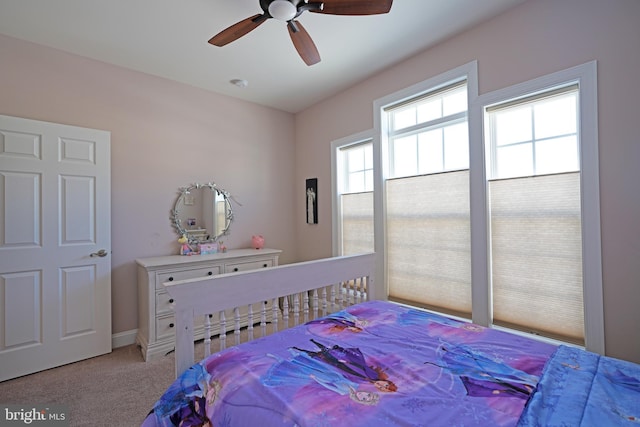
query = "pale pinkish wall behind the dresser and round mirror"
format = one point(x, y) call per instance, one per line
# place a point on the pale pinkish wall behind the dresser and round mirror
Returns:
point(164, 135)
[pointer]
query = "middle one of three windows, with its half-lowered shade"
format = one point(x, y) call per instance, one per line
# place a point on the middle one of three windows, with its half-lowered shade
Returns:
point(426, 194)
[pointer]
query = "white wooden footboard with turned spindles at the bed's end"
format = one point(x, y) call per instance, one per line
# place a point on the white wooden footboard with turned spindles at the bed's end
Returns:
point(312, 288)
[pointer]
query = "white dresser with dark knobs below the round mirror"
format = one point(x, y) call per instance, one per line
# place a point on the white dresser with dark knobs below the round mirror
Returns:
point(156, 322)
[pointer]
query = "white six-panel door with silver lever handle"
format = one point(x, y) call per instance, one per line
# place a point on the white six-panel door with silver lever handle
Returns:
point(55, 241)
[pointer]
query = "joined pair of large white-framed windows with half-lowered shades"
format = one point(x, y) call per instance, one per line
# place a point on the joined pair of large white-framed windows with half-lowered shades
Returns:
point(462, 216)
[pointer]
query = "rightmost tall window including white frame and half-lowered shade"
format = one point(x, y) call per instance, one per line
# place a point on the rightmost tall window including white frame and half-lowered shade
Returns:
point(536, 227)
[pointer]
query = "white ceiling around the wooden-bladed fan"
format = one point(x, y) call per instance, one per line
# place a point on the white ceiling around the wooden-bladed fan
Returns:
point(168, 38)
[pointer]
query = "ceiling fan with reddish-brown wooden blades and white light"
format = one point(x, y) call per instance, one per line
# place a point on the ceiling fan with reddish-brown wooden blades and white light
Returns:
point(288, 10)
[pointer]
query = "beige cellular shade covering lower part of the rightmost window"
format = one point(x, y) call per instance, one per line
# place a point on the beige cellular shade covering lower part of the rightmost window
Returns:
point(536, 255)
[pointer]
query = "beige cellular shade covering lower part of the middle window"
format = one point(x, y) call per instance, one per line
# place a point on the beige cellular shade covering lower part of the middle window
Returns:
point(428, 241)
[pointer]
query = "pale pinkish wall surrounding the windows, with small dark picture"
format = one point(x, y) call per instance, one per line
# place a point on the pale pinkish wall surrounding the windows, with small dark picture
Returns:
point(531, 40)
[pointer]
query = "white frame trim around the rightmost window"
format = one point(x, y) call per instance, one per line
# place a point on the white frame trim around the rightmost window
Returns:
point(585, 76)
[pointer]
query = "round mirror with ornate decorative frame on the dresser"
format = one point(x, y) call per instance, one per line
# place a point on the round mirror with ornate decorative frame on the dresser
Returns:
point(202, 212)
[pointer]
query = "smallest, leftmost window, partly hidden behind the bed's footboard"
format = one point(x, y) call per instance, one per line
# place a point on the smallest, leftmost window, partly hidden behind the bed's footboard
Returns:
point(353, 190)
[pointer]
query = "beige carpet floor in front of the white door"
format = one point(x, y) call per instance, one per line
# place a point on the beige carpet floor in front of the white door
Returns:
point(116, 389)
